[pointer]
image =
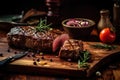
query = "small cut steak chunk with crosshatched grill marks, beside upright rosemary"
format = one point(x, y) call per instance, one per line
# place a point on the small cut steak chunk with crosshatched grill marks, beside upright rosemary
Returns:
point(71, 49)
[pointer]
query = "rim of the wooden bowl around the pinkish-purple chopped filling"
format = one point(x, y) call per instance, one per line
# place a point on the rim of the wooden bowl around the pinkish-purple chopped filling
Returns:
point(90, 20)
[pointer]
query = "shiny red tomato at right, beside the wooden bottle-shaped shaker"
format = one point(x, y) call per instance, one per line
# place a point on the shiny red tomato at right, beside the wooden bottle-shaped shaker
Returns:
point(107, 35)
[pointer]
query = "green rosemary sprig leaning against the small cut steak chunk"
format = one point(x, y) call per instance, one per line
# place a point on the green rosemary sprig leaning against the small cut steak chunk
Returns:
point(83, 61)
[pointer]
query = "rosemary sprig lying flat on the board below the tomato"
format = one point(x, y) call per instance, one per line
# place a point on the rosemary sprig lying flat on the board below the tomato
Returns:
point(104, 46)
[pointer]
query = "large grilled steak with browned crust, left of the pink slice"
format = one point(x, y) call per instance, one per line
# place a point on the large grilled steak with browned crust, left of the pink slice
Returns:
point(26, 37)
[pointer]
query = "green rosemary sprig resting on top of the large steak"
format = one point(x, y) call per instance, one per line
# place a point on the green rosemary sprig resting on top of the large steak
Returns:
point(43, 26)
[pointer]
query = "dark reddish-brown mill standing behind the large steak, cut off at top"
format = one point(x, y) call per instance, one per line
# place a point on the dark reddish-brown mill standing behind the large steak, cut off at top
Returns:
point(53, 12)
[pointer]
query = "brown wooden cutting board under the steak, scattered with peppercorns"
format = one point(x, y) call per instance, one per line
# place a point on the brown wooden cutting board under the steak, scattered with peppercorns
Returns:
point(51, 64)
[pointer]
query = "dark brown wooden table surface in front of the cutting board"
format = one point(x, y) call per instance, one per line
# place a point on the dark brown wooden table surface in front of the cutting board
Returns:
point(107, 74)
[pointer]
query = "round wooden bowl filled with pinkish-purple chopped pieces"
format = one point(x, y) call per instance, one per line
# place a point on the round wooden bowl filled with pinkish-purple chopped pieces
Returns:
point(81, 29)
